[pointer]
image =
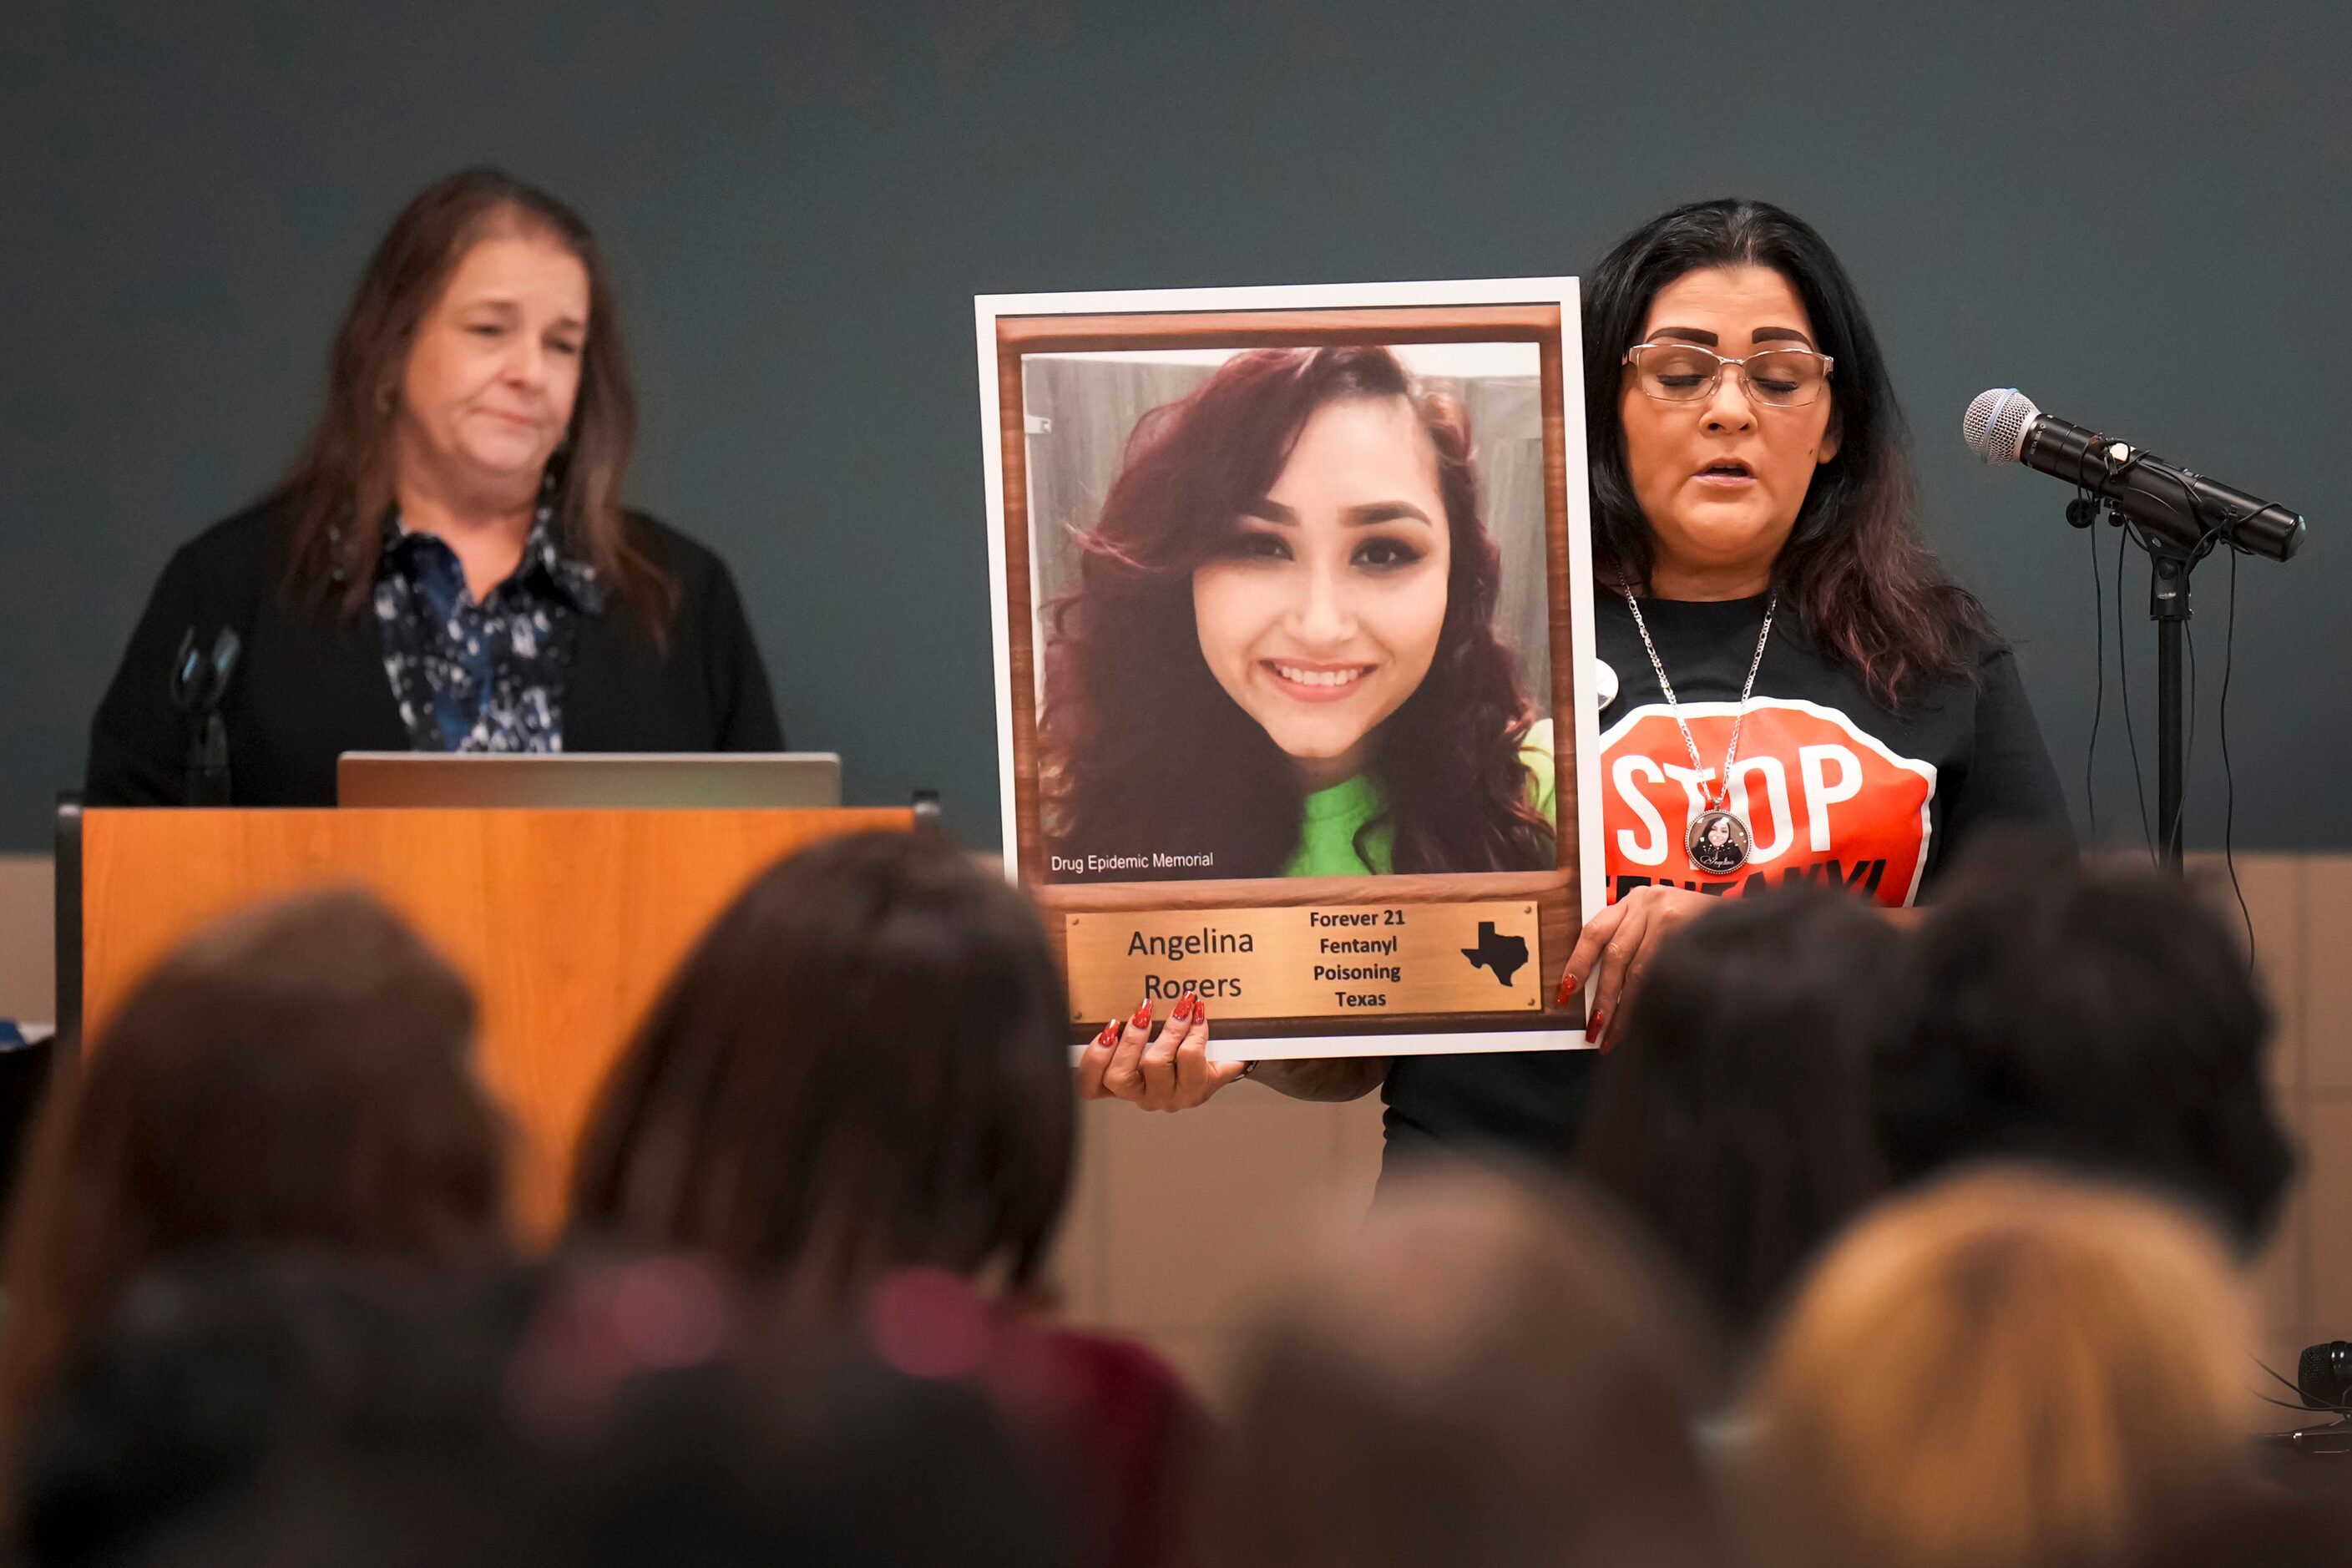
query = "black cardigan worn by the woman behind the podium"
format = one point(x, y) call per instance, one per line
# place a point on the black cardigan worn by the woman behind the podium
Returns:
point(312, 683)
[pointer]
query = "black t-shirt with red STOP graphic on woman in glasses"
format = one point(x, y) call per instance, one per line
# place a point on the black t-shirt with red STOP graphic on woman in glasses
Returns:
point(1833, 786)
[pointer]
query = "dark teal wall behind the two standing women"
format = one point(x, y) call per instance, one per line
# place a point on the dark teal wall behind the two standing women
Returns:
point(2137, 213)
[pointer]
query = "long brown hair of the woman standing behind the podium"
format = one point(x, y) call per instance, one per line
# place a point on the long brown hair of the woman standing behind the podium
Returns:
point(342, 483)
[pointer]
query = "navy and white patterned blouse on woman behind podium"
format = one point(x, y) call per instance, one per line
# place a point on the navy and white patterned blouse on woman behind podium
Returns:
point(481, 676)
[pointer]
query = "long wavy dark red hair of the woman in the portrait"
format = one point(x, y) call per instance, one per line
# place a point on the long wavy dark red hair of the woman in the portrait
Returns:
point(1142, 742)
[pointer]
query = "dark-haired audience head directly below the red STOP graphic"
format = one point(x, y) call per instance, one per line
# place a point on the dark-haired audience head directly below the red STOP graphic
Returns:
point(1735, 1118)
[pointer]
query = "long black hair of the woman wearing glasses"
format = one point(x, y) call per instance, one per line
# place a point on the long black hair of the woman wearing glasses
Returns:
point(1855, 568)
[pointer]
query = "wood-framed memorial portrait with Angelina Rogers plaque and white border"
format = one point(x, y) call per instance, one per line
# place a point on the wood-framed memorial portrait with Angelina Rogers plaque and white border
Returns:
point(1292, 650)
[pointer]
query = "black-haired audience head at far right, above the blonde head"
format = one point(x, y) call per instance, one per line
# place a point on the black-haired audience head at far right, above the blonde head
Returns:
point(2090, 1017)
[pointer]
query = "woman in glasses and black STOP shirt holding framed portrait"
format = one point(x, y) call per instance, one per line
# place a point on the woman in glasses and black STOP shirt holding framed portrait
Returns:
point(1756, 554)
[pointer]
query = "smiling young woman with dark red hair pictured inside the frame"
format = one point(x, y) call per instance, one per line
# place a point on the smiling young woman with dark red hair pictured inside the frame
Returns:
point(1281, 655)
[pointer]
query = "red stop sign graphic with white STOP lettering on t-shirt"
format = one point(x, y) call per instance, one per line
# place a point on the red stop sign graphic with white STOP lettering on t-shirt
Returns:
point(1822, 798)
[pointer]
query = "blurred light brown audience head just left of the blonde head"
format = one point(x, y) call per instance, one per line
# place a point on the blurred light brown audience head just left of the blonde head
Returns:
point(1488, 1374)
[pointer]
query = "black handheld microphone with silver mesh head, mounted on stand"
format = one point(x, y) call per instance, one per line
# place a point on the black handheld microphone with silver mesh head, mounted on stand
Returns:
point(2181, 507)
